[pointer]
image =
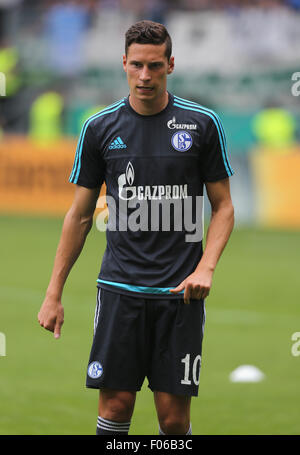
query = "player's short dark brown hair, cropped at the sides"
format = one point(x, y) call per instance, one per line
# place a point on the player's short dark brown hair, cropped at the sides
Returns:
point(148, 32)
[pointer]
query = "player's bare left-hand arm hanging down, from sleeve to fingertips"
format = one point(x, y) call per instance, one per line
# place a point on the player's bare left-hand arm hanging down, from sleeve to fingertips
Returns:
point(77, 224)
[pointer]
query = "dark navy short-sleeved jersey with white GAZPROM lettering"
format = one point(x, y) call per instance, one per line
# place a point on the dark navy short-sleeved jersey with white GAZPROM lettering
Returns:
point(154, 167)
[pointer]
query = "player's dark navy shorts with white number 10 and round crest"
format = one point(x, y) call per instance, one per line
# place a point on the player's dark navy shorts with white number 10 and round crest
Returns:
point(134, 338)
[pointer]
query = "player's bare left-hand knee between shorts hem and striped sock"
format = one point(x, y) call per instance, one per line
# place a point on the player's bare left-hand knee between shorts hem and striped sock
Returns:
point(118, 408)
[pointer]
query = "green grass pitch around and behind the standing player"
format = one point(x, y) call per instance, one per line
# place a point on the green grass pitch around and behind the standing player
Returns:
point(252, 312)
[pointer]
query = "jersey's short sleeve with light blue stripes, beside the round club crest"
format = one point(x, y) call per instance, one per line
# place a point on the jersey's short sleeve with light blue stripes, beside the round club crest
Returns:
point(215, 163)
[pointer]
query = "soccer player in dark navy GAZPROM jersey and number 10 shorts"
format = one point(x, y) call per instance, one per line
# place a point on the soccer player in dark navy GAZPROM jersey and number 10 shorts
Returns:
point(155, 152)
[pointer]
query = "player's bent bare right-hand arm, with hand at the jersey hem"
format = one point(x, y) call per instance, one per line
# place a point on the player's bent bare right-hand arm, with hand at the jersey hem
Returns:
point(198, 284)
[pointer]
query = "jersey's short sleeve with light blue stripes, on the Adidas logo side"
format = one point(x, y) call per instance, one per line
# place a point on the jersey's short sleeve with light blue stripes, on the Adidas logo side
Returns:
point(89, 167)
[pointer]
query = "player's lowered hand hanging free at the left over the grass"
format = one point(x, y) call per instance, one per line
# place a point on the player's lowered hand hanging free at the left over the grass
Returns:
point(51, 315)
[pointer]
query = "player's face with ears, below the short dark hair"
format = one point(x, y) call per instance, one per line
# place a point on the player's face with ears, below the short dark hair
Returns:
point(147, 68)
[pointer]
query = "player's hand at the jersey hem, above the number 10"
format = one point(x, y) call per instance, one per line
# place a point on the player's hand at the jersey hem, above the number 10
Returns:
point(195, 286)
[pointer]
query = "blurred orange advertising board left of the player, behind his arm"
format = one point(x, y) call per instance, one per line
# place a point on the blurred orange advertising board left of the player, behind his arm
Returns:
point(34, 177)
